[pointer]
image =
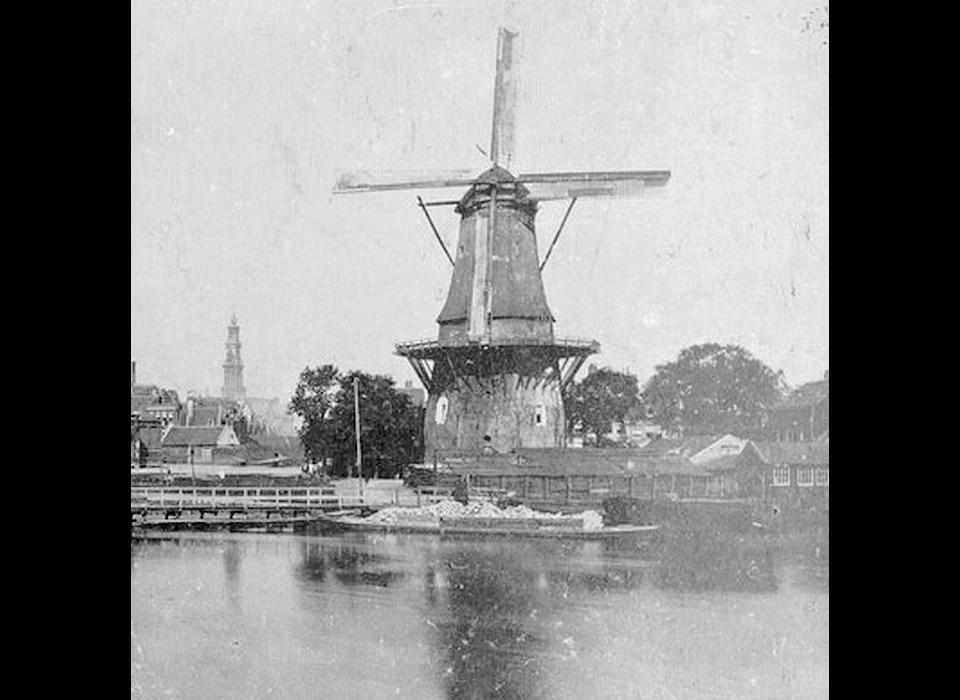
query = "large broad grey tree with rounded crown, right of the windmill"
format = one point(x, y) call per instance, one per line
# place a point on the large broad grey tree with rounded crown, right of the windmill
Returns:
point(711, 388)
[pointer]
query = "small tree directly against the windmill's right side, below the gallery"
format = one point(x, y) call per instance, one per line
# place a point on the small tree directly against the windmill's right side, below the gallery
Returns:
point(604, 396)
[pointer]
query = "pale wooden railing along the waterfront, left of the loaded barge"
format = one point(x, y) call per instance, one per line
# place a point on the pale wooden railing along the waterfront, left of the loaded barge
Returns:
point(248, 497)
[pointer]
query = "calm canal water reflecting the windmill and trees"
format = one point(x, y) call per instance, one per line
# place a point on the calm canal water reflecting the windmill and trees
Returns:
point(359, 615)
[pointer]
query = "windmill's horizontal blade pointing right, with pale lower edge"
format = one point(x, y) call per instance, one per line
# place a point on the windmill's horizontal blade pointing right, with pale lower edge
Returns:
point(625, 184)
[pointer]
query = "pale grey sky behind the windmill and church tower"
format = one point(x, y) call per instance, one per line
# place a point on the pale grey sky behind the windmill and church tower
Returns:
point(242, 113)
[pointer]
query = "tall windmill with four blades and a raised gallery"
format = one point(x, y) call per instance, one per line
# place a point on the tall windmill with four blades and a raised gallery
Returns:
point(496, 375)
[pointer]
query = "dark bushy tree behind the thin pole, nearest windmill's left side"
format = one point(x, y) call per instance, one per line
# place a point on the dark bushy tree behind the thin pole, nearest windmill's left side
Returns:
point(390, 427)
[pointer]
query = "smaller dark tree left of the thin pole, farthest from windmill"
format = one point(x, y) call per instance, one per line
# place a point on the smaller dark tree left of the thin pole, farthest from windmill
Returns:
point(313, 400)
